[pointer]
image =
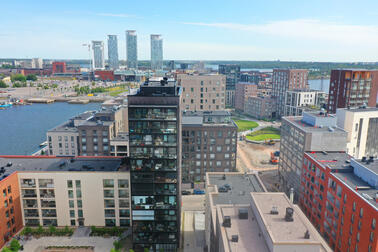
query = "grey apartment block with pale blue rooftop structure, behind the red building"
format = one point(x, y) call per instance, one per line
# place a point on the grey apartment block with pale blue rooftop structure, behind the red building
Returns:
point(310, 132)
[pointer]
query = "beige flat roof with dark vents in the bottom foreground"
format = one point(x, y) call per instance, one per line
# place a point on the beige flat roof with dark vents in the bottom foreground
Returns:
point(267, 222)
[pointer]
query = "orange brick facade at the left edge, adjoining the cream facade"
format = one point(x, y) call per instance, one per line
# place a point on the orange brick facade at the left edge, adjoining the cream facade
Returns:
point(10, 208)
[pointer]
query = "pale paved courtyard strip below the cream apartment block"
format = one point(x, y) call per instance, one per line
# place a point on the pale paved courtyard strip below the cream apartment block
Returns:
point(100, 244)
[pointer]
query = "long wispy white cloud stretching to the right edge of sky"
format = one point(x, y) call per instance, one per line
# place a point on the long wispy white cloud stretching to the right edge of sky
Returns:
point(308, 29)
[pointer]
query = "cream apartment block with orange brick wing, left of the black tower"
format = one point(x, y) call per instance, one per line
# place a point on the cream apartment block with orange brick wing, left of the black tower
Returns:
point(58, 191)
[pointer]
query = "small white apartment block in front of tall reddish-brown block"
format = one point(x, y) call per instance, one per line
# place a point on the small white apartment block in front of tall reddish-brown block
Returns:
point(299, 100)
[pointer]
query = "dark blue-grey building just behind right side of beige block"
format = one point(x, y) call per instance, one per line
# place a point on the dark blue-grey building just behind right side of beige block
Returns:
point(232, 73)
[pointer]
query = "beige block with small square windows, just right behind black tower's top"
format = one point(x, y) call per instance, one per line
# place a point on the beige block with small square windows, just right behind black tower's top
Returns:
point(203, 92)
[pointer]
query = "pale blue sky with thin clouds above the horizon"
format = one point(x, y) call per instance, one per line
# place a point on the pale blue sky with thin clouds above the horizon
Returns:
point(286, 30)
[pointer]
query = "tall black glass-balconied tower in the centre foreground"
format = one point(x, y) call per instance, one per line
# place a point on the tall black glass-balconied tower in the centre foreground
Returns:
point(155, 155)
